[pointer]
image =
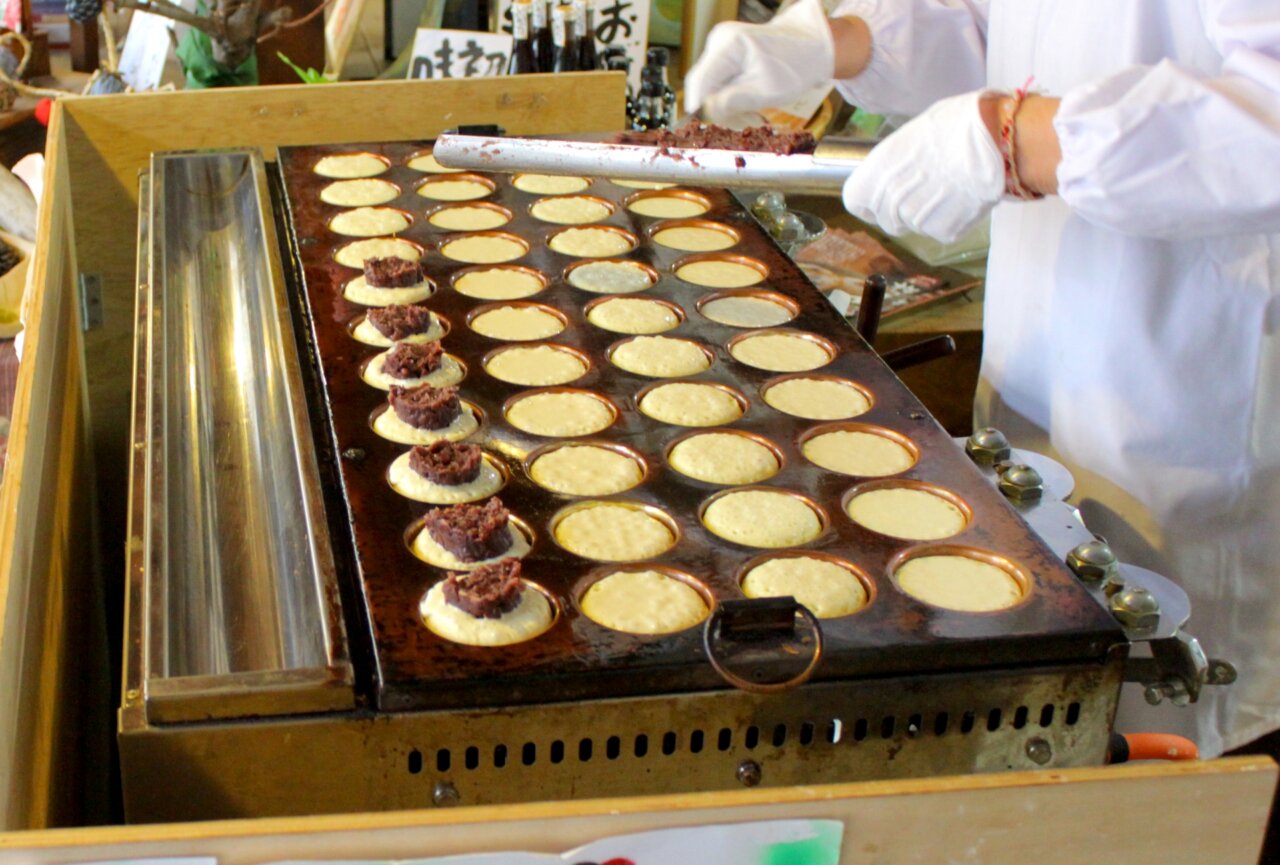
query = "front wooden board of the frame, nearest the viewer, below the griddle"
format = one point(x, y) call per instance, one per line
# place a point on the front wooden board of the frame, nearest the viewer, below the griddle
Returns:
point(1163, 814)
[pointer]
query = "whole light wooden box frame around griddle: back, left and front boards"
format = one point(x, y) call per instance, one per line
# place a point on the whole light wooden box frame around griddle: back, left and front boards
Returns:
point(65, 488)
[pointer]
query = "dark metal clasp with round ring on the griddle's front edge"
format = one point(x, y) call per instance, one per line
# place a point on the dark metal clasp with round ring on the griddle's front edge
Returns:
point(761, 633)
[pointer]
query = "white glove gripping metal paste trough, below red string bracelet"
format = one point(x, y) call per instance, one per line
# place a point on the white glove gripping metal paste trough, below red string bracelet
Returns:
point(940, 175)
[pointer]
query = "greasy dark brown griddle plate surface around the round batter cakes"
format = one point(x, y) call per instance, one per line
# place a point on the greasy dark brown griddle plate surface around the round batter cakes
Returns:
point(578, 658)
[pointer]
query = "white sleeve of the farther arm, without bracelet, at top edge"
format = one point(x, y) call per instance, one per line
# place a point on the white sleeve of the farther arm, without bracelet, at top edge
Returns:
point(922, 52)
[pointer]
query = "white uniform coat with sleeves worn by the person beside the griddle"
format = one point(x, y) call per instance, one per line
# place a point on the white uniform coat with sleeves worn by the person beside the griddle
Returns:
point(1132, 326)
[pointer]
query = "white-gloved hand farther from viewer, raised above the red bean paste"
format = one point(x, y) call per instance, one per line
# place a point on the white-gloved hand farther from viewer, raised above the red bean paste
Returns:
point(749, 67)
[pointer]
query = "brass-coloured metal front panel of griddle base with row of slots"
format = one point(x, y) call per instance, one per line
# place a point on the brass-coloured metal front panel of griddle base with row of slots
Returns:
point(917, 726)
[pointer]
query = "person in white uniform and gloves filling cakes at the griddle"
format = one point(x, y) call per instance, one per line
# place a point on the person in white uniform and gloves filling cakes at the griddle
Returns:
point(1132, 312)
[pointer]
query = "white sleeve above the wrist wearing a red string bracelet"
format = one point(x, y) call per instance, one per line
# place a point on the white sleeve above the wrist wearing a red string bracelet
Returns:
point(1163, 152)
